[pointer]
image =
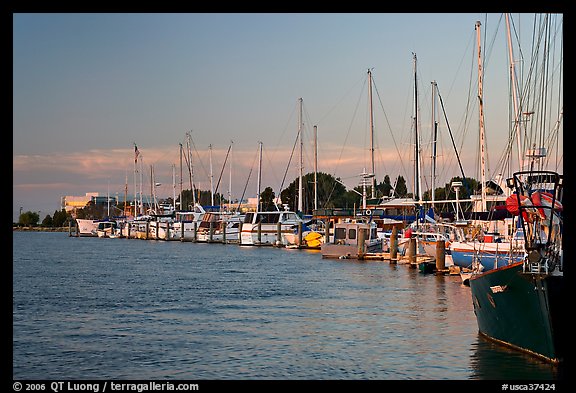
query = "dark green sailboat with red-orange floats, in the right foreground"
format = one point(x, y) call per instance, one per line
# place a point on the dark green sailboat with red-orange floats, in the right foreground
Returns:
point(522, 304)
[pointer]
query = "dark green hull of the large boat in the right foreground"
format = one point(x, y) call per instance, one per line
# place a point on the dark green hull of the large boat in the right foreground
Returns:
point(521, 310)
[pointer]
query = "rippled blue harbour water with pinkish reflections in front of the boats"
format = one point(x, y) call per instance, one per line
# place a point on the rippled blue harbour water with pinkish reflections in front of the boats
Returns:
point(91, 308)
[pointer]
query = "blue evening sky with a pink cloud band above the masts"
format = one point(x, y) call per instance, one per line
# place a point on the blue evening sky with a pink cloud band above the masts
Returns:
point(89, 87)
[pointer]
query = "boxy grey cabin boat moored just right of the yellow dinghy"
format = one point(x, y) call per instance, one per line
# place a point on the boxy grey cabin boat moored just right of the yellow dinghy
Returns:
point(348, 237)
